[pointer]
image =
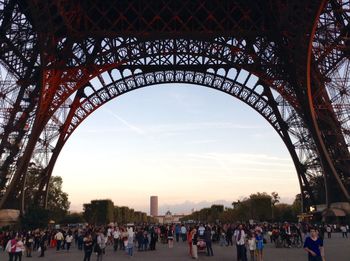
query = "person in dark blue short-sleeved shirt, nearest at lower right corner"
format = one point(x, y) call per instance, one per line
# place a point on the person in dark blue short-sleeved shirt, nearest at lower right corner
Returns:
point(314, 246)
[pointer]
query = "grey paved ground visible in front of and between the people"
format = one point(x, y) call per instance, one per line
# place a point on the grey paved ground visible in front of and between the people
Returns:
point(337, 249)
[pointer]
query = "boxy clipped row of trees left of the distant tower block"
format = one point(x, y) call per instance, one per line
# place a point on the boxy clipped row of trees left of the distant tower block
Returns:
point(100, 212)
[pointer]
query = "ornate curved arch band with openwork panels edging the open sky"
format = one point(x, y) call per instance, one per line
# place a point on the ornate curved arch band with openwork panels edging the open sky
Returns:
point(238, 83)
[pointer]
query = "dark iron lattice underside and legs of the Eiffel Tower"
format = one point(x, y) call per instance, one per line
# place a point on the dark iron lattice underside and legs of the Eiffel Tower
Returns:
point(287, 60)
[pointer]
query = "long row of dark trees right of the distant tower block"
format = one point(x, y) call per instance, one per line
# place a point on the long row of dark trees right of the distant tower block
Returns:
point(258, 207)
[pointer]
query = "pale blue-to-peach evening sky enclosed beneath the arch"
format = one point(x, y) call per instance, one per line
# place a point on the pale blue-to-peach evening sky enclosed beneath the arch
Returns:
point(190, 145)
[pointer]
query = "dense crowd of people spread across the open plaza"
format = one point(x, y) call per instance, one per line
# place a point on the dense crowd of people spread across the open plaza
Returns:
point(249, 239)
